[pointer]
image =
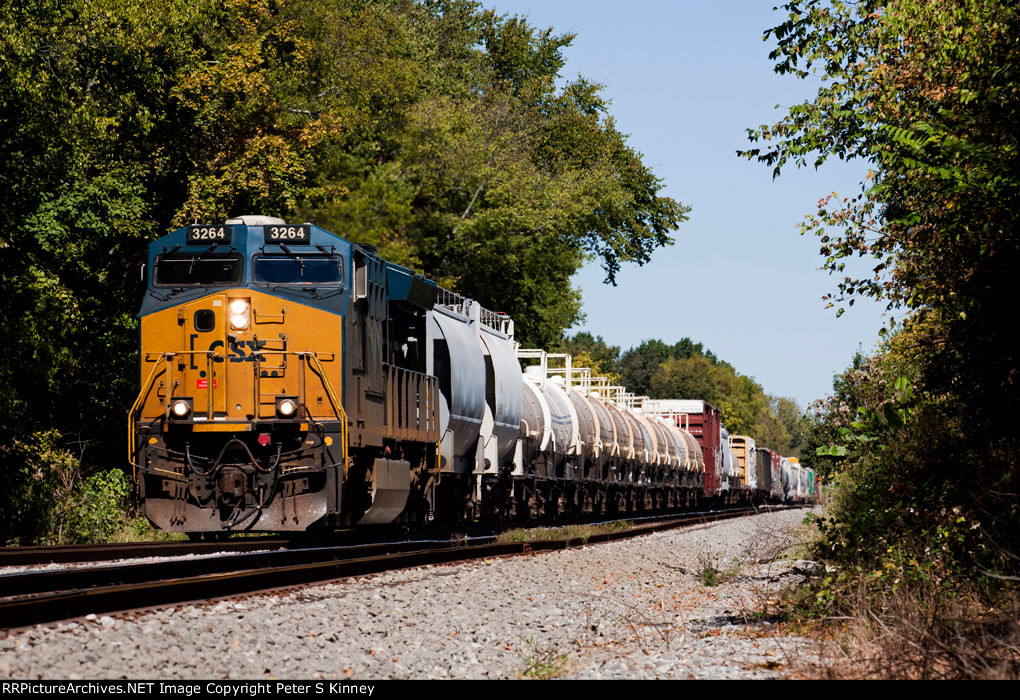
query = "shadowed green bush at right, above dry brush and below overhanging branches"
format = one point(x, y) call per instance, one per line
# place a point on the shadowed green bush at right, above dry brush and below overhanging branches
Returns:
point(901, 492)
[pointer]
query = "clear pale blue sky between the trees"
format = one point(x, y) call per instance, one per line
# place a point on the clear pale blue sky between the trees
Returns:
point(687, 79)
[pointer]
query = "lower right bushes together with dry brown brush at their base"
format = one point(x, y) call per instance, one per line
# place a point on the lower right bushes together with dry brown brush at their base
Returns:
point(921, 531)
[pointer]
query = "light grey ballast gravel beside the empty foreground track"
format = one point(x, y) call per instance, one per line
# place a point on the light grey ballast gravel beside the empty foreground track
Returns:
point(682, 605)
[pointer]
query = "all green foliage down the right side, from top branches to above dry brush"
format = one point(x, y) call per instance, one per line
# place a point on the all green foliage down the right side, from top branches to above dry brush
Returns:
point(929, 93)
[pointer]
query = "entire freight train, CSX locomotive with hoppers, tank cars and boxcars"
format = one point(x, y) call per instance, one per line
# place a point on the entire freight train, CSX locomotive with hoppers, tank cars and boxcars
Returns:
point(293, 380)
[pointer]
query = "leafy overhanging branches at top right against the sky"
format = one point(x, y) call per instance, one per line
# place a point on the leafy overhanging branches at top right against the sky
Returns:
point(942, 139)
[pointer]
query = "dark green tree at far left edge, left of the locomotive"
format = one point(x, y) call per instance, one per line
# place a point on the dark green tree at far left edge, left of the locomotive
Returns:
point(87, 138)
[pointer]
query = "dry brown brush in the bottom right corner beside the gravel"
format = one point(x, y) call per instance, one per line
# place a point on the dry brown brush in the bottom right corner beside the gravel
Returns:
point(914, 614)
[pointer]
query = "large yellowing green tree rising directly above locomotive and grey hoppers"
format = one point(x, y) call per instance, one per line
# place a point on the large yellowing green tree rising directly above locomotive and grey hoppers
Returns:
point(434, 131)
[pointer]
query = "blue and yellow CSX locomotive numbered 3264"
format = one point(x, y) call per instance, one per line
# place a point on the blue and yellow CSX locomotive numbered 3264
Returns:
point(256, 335)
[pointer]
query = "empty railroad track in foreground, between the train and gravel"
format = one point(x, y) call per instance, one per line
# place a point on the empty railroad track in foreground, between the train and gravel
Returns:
point(41, 597)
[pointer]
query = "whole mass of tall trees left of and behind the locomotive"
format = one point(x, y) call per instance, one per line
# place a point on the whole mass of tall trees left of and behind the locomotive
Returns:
point(435, 130)
